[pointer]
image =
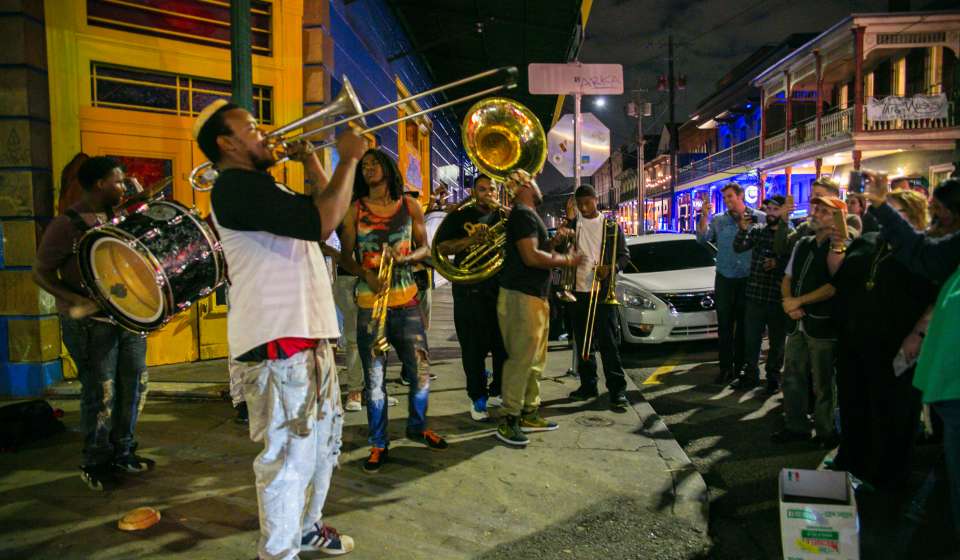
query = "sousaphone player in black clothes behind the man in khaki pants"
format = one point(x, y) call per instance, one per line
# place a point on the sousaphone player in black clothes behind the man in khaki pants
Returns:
point(475, 304)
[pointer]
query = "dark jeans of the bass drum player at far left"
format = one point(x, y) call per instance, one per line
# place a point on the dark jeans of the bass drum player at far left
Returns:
point(111, 365)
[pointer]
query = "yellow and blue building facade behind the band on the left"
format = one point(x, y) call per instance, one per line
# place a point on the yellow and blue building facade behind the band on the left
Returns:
point(127, 79)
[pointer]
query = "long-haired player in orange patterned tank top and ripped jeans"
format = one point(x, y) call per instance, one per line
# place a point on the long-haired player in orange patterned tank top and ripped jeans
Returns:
point(384, 223)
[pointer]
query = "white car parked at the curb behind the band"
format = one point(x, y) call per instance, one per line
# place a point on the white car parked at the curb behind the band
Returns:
point(666, 292)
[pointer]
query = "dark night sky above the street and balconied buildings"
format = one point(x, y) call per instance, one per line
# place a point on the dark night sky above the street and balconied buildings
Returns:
point(710, 38)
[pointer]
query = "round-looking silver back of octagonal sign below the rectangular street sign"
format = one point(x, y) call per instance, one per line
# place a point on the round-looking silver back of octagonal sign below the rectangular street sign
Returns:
point(594, 145)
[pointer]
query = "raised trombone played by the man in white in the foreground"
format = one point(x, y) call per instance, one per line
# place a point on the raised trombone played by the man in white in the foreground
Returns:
point(347, 105)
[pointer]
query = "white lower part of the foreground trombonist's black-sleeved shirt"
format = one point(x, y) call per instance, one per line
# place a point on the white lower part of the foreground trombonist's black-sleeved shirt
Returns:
point(279, 288)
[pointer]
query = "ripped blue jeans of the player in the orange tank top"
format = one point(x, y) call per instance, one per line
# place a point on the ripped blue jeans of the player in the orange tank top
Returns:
point(405, 333)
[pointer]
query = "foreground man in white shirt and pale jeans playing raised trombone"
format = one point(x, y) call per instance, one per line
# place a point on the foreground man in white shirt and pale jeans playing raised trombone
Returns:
point(280, 320)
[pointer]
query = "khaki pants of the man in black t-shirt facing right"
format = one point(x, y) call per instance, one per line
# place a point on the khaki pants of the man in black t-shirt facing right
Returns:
point(525, 324)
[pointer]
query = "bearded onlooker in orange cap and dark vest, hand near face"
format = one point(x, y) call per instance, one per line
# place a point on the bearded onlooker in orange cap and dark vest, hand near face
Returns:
point(812, 338)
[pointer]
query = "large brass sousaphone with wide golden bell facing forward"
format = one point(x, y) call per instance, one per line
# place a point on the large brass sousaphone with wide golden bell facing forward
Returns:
point(500, 136)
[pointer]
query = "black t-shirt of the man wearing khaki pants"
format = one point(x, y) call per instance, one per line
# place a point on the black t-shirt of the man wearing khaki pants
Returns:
point(523, 223)
